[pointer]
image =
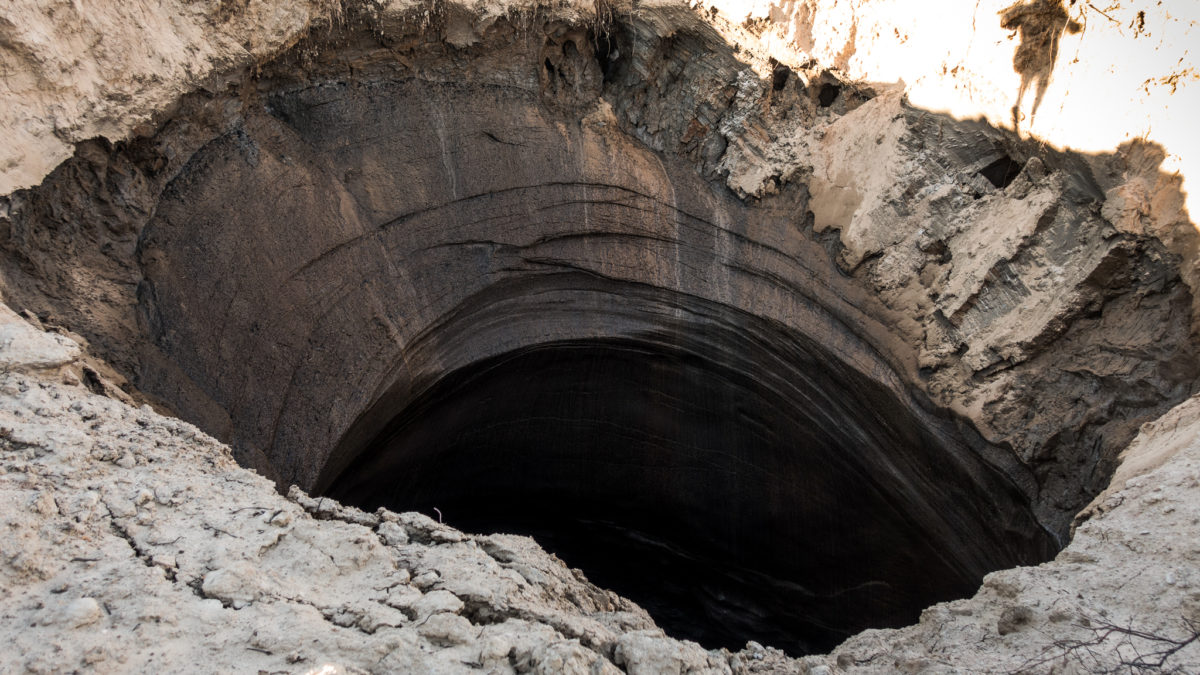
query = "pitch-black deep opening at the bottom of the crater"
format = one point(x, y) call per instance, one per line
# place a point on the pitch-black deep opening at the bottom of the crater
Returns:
point(739, 495)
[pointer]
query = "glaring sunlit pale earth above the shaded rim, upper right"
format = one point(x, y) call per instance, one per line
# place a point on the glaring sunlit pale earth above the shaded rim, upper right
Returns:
point(1113, 82)
